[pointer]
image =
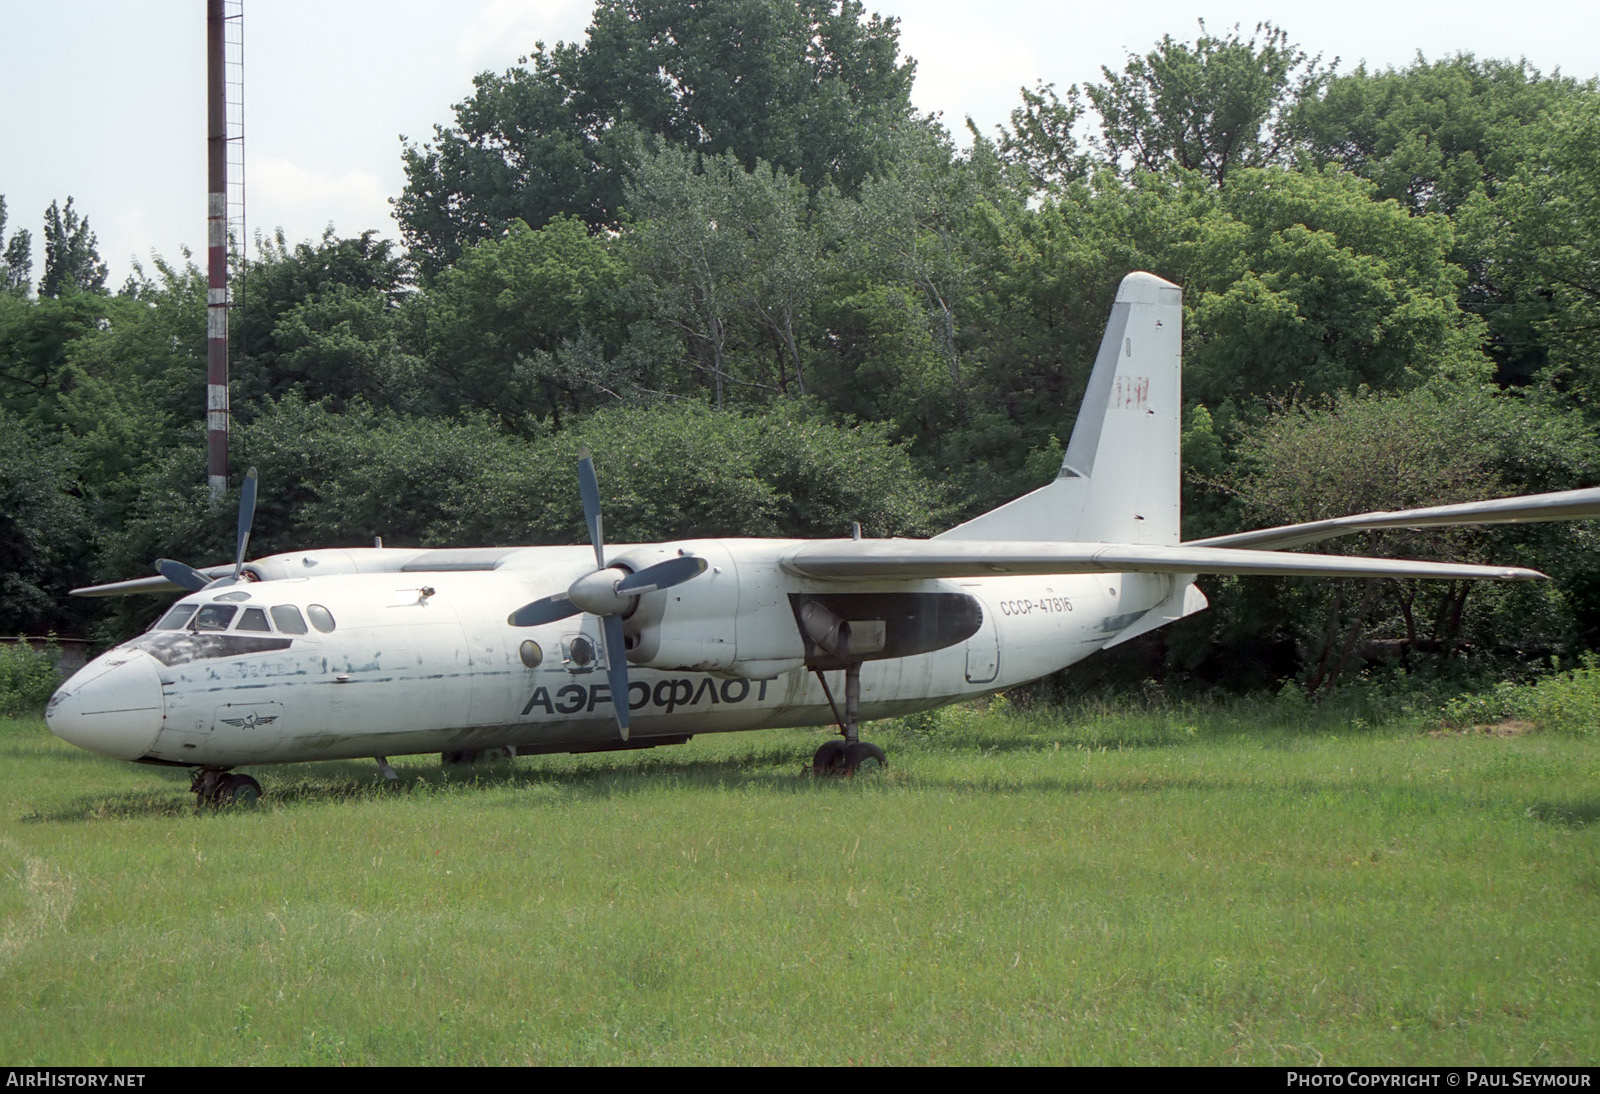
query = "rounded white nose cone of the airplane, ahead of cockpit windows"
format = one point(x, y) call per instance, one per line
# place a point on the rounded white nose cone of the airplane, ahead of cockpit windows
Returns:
point(113, 706)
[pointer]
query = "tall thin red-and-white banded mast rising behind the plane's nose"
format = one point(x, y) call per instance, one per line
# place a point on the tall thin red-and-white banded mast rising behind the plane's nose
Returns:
point(217, 254)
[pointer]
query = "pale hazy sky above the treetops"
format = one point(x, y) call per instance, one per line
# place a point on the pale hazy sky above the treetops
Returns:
point(105, 100)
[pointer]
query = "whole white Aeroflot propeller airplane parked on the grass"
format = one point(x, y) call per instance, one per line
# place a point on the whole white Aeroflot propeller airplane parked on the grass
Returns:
point(335, 655)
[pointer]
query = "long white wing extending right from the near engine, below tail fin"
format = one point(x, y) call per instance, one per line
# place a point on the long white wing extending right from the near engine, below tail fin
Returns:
point(911, 559)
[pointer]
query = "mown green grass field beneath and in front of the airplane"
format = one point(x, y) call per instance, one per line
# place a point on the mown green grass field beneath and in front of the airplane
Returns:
point(1154, 885)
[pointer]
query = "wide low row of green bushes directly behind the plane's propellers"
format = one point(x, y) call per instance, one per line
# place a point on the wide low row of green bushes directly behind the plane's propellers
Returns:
point(668, 473)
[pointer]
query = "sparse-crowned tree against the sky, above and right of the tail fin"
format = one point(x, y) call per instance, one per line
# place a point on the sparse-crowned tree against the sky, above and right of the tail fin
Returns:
point(1214, 106)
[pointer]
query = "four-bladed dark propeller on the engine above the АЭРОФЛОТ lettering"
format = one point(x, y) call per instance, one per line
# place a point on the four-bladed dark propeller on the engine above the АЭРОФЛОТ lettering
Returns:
point(607, 593)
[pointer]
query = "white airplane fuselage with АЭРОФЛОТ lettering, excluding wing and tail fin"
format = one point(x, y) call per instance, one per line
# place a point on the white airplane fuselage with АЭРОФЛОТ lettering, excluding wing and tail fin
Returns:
point(407, 661)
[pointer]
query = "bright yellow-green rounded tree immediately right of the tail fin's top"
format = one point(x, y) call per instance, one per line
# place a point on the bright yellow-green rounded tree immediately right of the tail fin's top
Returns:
point(1300, 282)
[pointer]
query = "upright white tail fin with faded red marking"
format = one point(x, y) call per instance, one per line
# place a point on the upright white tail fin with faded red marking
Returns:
point(1121, 479)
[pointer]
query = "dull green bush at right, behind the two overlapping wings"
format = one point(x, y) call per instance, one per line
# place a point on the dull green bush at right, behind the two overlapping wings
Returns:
point(1430, 447)
